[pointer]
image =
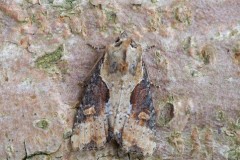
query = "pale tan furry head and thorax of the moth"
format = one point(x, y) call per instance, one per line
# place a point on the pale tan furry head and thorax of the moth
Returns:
point(124, 55)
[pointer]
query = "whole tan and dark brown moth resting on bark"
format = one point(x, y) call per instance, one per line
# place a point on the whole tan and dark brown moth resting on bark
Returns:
point(117, 104)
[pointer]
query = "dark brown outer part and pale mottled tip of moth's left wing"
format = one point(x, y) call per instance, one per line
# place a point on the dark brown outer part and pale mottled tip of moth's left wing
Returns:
point(90, 129)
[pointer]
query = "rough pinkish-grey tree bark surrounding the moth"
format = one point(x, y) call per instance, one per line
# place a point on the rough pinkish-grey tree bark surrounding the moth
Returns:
point(194, 68)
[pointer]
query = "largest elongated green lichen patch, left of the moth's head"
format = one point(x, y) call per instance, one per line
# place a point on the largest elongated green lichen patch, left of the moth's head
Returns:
point(50, 59)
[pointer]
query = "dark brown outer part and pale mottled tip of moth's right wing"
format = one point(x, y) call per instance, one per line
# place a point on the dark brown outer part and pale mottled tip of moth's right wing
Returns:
point(138, 132)
